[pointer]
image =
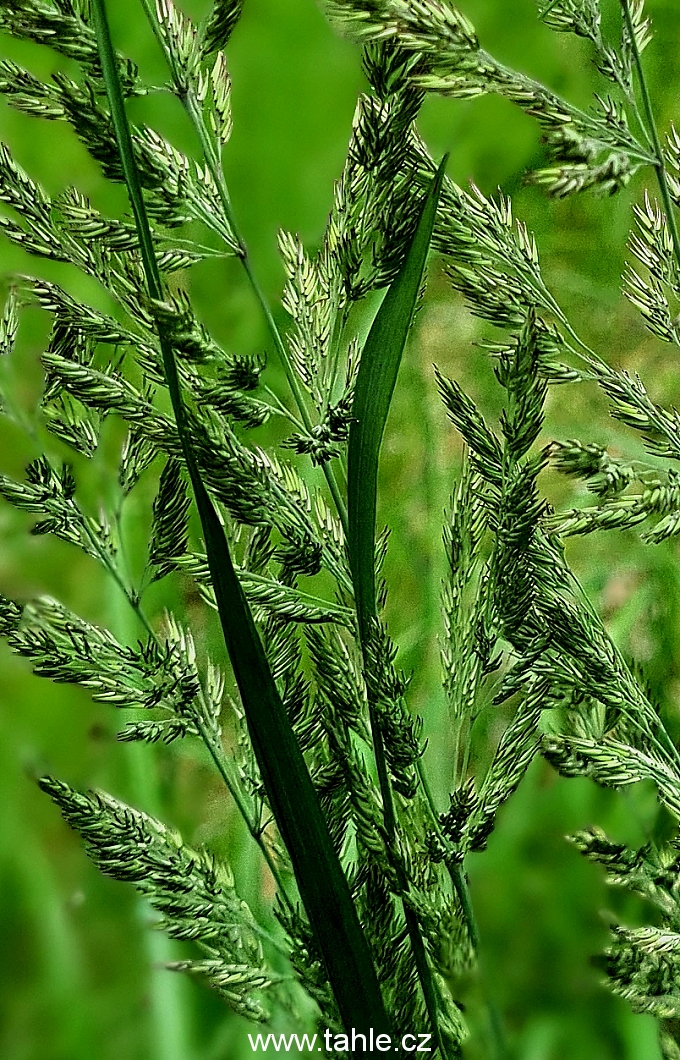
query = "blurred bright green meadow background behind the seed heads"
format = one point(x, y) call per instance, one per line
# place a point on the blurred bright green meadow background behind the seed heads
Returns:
point(80, 976)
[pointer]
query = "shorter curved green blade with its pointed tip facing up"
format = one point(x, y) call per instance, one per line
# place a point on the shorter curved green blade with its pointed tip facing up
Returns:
point(377, 380)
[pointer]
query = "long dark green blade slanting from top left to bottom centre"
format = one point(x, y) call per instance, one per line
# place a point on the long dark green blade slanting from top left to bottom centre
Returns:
point(321, 880)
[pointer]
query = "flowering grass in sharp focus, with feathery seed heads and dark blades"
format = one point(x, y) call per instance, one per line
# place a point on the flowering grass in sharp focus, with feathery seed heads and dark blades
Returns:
point(294, 692)
